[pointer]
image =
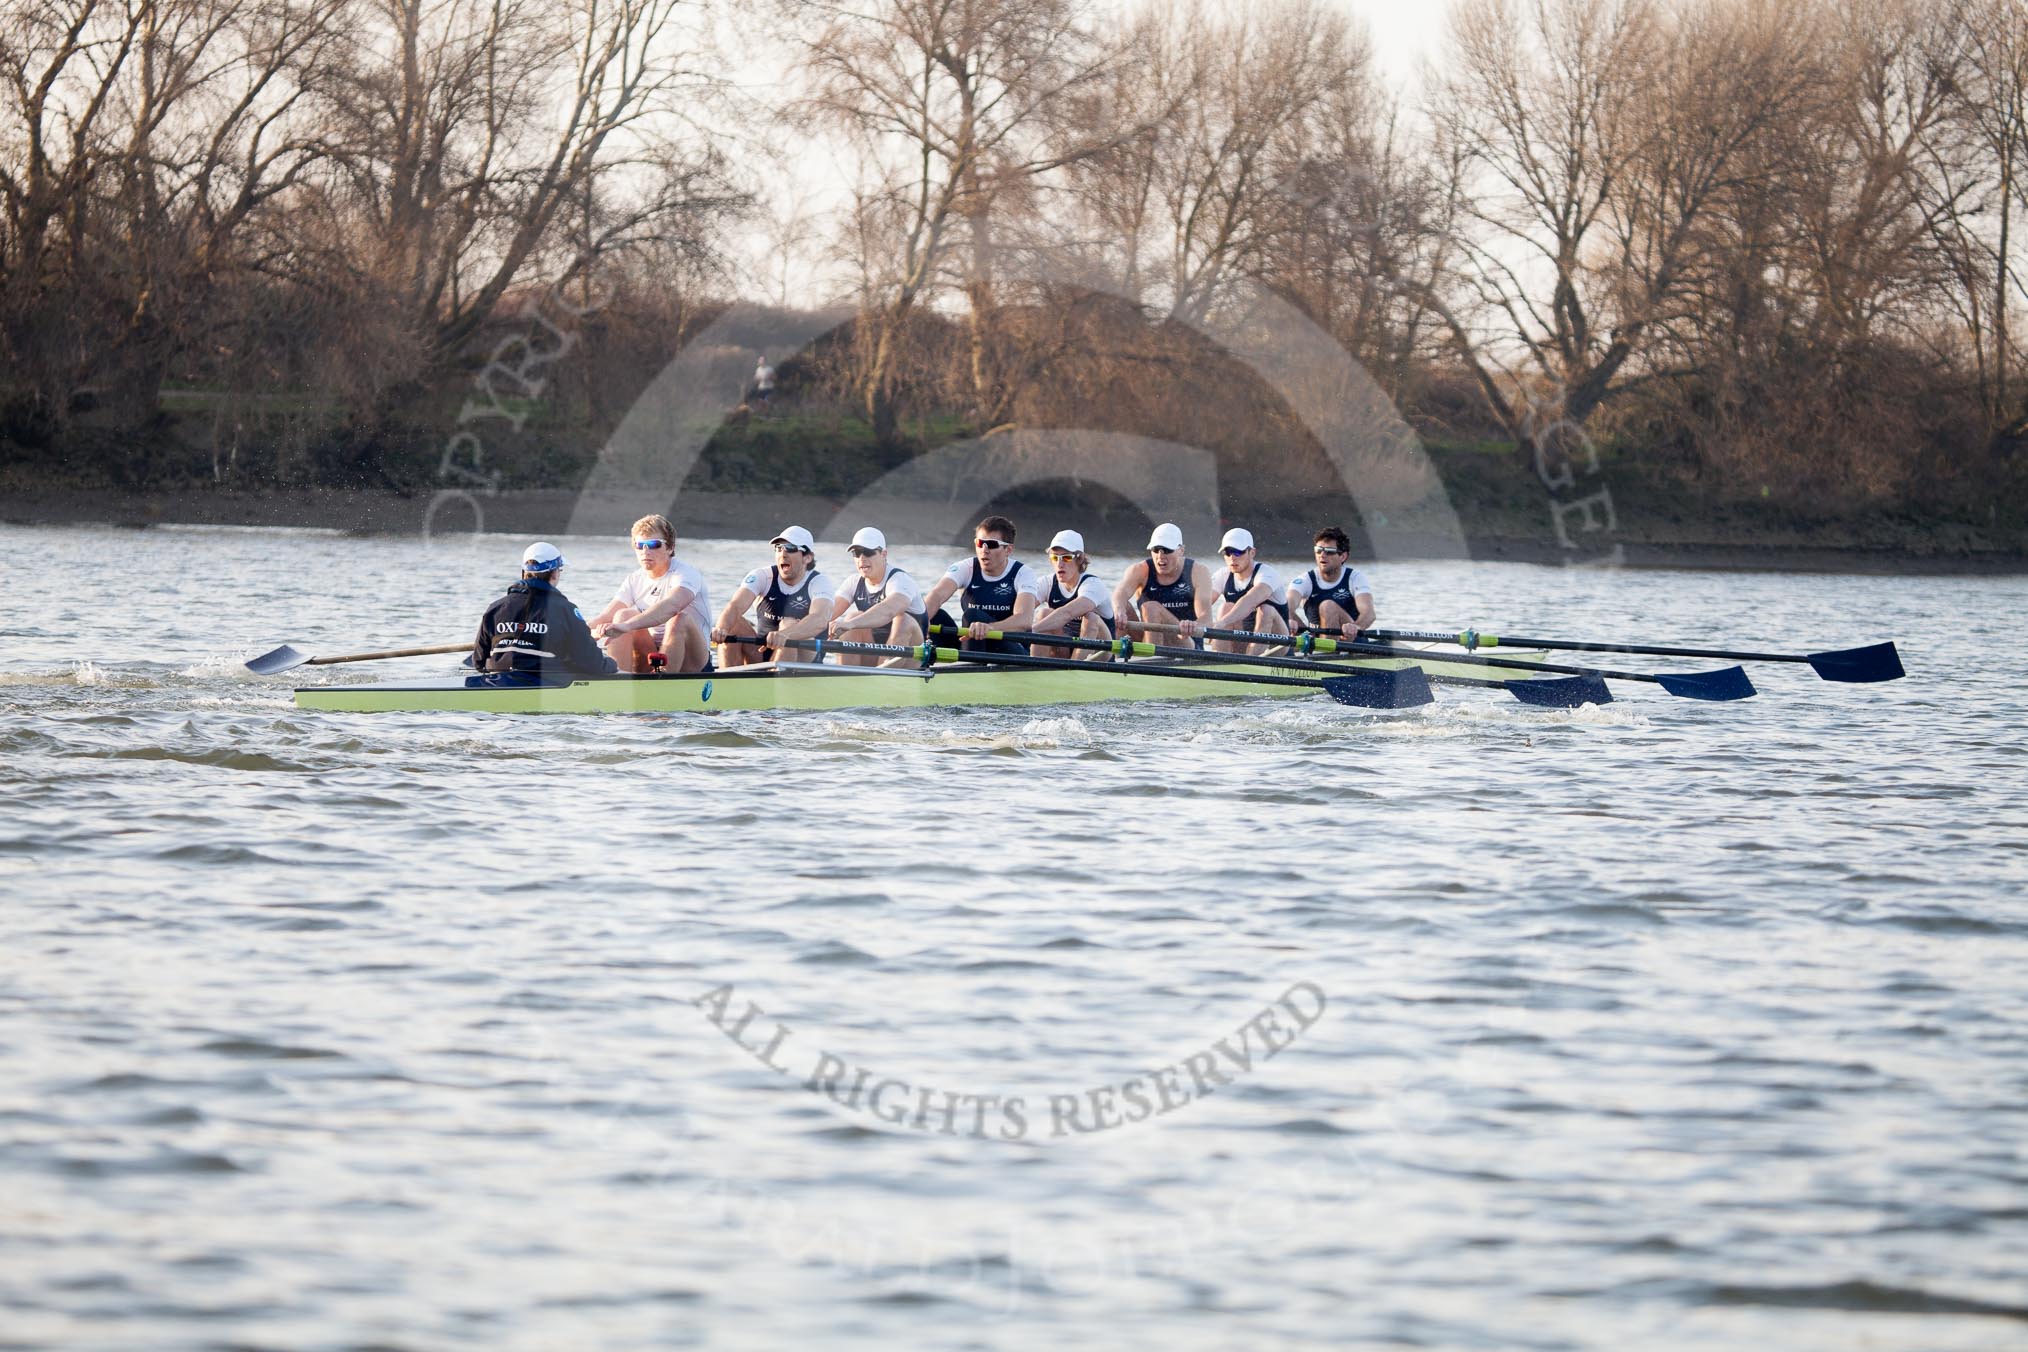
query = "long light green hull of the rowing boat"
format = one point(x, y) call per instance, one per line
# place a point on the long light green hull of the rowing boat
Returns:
point(800, 686)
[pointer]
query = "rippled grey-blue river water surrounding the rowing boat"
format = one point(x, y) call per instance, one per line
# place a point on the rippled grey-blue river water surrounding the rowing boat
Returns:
point(1656, 1025)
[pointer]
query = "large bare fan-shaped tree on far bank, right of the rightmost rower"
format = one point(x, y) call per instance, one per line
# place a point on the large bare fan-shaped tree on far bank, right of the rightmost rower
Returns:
point(1597, 141)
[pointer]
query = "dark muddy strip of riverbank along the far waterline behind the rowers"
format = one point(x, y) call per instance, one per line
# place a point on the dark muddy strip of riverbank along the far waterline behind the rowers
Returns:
point(1741, 542)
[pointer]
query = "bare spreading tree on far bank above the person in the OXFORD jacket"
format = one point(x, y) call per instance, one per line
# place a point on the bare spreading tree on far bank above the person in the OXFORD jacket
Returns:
point(488, 141)
